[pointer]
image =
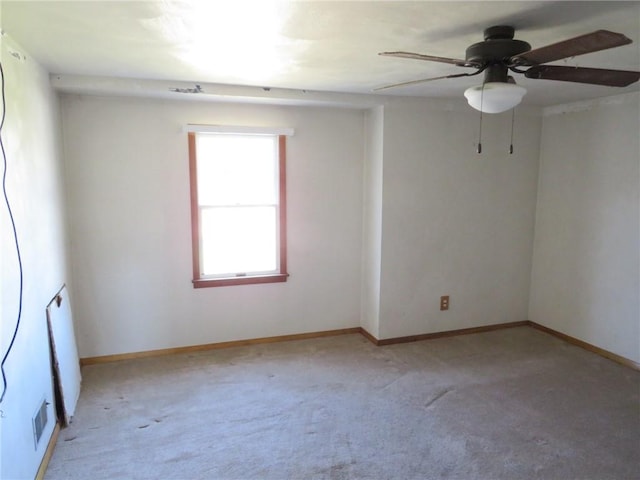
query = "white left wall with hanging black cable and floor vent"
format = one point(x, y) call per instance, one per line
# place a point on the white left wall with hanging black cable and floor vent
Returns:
point(35, 189)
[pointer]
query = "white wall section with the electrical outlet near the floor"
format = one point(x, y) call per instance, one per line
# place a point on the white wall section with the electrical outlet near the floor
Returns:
point(454, 222)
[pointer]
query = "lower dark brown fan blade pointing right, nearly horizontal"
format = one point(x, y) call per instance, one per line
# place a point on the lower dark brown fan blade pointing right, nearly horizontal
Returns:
point(594, 76)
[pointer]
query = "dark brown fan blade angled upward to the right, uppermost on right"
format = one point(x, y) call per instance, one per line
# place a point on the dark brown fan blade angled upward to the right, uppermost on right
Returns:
point(590, 42)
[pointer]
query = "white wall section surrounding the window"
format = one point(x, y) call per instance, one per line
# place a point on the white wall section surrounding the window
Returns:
point(128, 197)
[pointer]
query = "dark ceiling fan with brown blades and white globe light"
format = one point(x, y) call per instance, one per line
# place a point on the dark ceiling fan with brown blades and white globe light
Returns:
point(500, 54)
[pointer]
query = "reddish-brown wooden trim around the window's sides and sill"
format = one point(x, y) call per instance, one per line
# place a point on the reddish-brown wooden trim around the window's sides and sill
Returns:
point(198, 281)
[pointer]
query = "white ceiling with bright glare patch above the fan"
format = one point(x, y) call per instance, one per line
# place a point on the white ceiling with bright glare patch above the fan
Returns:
point(309, 45)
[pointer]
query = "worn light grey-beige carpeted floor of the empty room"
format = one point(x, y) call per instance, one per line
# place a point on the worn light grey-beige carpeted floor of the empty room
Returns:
point(509, 404)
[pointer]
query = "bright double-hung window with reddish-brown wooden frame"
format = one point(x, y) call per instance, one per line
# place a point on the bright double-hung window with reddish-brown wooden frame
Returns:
point(238, 206)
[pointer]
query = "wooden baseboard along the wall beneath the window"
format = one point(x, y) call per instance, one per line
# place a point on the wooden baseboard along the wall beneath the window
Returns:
point(215, 346)
